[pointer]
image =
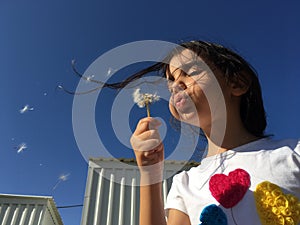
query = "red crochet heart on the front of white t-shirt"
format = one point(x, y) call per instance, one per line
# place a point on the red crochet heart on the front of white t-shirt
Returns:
point(229, 190)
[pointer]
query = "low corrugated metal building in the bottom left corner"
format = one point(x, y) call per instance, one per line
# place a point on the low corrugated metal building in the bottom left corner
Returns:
point(28, 210)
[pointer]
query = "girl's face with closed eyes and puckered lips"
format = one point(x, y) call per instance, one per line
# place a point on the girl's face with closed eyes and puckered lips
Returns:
point(195, 92)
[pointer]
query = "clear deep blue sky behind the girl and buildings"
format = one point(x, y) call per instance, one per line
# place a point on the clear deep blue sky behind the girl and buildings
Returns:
point(40, 38)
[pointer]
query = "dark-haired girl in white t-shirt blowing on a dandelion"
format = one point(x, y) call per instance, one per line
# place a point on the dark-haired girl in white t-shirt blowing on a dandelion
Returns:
point(246, 177)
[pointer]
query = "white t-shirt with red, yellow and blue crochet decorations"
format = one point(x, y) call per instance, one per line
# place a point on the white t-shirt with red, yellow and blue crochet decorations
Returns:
point(235, 196)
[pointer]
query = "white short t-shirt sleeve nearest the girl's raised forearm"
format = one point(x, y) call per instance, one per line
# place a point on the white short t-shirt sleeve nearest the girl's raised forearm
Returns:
point(175, 196)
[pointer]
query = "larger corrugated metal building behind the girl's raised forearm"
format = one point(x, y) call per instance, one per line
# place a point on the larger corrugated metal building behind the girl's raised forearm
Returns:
point(112, 193)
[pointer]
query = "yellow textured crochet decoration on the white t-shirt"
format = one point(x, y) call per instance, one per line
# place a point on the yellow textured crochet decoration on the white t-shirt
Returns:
point(274, 207)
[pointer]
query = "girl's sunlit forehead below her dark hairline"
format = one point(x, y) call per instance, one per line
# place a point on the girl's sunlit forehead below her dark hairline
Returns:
point(185, 60)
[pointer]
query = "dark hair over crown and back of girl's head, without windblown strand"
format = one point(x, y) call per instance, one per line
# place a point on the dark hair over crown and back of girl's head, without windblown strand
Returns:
point(235, 70)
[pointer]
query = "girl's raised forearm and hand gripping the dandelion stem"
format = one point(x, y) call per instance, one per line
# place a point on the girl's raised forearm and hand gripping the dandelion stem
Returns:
point(149, 152)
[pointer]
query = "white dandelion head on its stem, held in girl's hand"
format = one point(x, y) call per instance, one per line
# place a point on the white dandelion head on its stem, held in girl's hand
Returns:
point(144, 99)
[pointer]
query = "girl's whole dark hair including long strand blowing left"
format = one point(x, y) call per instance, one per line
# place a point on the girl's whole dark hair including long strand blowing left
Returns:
point(230, 65)
